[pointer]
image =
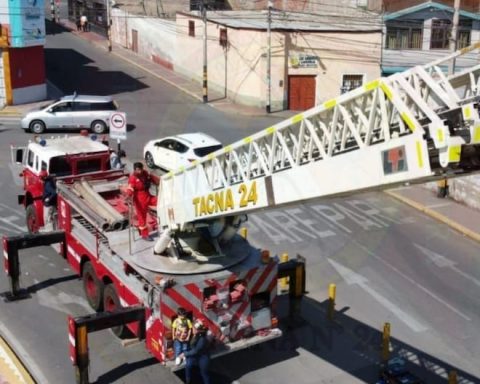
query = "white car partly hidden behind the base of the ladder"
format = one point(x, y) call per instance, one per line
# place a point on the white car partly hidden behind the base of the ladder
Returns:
point(175, 151)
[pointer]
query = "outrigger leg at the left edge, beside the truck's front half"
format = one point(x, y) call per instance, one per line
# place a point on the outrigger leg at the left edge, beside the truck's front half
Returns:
point(11, 263)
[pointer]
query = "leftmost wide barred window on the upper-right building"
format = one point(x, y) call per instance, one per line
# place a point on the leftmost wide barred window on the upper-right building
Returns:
point(407, 36)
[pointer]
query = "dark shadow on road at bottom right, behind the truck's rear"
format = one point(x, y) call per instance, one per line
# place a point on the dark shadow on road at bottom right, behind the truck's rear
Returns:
point(347, 344)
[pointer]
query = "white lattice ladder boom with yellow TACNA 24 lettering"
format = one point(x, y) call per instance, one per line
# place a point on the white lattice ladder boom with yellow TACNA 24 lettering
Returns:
point(413, 126)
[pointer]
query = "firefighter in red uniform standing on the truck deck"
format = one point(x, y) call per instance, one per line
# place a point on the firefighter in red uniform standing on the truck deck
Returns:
point(138, 188)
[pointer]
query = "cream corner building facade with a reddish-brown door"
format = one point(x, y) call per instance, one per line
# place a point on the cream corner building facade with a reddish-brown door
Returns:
point(312, 58)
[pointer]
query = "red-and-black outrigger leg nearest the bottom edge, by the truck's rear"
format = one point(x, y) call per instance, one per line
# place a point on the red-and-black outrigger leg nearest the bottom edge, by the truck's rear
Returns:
point(79, 327)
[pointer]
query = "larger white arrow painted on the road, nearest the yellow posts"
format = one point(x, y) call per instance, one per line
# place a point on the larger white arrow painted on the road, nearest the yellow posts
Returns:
point(352, 278)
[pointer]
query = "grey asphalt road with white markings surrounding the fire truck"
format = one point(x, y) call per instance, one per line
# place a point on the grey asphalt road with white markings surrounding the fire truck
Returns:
point(390, 263)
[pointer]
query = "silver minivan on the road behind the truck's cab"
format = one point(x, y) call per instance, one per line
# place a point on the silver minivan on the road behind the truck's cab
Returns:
point(72, 112)
